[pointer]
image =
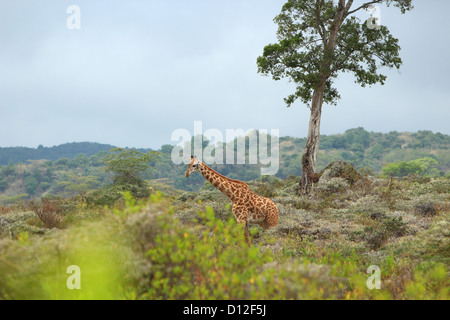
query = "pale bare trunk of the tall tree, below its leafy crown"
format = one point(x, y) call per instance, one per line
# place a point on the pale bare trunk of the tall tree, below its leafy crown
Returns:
point(309, 159)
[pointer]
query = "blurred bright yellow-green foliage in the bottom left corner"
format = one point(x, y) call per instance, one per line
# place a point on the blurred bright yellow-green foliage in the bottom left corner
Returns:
point(93, 248)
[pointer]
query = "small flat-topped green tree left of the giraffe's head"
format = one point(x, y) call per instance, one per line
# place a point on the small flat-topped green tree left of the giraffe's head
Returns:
point(129, 167)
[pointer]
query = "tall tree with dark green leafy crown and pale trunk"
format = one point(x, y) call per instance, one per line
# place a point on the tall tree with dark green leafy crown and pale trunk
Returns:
point(318, 39)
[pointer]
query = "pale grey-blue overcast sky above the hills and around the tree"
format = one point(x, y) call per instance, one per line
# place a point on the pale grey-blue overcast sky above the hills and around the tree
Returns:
point(138, 70)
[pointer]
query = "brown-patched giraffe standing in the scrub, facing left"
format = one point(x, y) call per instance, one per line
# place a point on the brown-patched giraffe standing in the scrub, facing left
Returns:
point(248, 207)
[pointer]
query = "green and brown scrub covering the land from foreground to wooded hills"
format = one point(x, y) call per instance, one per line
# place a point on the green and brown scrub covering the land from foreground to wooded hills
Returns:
point(139, 238)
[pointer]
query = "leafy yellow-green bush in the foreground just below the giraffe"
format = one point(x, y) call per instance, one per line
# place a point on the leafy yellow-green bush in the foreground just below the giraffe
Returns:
point(211, 261)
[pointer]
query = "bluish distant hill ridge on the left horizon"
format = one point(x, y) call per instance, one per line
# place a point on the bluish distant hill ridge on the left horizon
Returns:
point(67, 150)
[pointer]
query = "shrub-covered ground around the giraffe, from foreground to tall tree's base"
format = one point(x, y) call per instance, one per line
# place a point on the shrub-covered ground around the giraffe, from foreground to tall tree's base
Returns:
point(186, 245)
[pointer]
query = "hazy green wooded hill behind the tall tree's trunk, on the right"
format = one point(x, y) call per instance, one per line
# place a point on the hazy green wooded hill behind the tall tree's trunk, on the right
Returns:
point(368, 149)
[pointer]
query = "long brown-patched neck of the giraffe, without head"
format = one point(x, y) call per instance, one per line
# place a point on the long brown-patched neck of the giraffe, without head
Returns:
point(231, 188)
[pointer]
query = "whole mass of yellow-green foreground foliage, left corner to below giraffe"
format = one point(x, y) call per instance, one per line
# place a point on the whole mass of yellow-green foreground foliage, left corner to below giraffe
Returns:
point(145, 253)
